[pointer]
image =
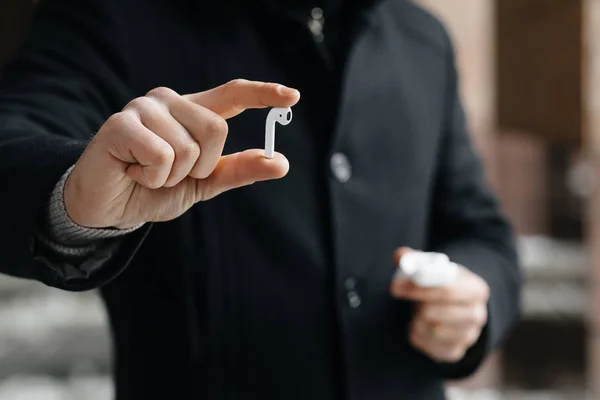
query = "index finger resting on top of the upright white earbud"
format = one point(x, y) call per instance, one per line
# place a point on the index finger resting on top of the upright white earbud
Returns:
point(236, 96)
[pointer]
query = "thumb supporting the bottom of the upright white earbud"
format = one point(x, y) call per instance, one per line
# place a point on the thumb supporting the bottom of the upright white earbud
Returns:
point(241, 169)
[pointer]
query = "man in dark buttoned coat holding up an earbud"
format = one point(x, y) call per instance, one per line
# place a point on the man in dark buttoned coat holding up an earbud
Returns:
point(283, 287)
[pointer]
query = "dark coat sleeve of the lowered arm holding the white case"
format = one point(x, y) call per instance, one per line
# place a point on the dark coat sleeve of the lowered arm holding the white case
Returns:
point(469, 226)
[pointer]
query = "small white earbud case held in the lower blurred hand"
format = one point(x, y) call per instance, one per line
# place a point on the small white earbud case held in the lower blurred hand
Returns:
point(427, 269)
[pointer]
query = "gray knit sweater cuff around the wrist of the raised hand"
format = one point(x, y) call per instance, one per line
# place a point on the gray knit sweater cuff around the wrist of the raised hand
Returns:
point(64, 231)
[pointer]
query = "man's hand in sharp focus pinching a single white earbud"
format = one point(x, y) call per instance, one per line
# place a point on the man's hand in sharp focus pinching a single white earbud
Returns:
point(163, 153)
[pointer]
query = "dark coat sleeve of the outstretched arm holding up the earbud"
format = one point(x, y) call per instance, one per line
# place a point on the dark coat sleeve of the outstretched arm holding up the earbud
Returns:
point(68, 77)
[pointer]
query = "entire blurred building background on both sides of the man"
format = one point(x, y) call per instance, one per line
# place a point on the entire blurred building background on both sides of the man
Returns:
point(531, 85)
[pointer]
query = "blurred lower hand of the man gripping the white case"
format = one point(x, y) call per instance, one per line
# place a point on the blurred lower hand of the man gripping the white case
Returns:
point(448, 320)
